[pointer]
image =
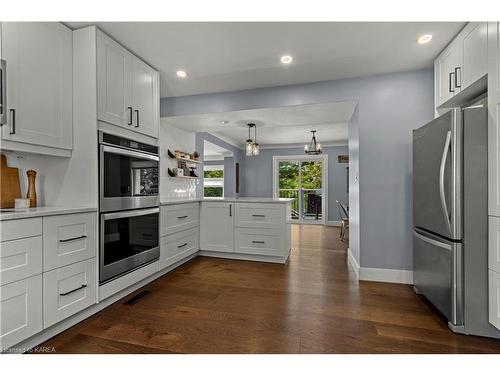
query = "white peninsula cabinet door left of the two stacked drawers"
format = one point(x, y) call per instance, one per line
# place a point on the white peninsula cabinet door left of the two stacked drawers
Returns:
point(216, 226)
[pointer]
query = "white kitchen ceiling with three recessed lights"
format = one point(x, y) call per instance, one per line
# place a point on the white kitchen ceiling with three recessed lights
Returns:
point(225, 56)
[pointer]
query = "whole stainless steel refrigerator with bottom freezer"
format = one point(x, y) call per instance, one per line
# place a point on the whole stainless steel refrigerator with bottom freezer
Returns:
point(450, 217)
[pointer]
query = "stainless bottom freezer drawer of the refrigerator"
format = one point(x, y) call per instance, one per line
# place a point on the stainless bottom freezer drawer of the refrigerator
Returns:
point(437, 274)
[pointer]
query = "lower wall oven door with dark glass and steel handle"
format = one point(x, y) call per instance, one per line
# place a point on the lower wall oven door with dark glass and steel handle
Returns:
point(129, 239)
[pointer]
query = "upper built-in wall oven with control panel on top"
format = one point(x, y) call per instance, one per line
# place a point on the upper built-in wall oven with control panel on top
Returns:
point(128, 174)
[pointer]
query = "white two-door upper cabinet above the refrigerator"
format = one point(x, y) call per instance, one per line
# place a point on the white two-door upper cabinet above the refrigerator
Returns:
point(459, 68)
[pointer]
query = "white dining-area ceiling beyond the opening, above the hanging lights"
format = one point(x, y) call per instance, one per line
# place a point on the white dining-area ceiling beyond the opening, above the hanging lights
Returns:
point(275, 126)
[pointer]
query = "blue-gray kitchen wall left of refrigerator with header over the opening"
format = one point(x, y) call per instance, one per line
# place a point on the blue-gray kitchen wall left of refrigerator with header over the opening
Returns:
point(389, 107)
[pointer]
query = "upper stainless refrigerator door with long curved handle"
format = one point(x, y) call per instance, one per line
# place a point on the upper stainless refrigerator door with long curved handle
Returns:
point(437, 174)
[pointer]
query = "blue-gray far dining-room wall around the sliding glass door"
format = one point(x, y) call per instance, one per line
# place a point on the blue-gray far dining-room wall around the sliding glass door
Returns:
point(257, 176)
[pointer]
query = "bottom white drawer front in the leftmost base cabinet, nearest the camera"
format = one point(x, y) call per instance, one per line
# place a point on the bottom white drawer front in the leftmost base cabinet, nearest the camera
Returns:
point(20, 310)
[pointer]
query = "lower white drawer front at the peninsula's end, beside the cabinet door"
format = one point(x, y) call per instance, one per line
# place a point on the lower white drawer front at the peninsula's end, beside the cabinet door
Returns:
point(258, 241)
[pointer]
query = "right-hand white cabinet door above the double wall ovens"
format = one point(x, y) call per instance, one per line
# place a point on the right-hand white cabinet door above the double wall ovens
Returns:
point(145, 98)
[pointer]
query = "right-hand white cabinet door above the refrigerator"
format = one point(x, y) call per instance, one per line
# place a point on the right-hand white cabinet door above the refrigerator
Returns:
point(475, 54)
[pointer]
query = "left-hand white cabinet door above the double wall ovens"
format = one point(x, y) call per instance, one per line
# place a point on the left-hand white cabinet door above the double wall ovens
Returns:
point(114, 82)
